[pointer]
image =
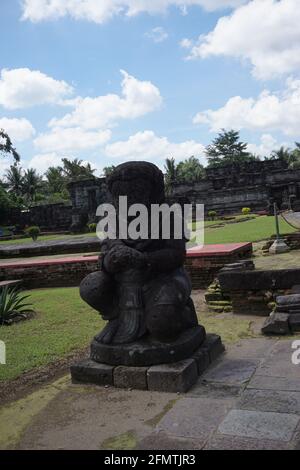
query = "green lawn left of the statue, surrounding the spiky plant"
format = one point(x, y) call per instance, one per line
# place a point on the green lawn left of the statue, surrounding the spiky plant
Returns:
point(63, 324)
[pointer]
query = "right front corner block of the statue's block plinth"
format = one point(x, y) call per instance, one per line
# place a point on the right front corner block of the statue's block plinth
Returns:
point(177, 377)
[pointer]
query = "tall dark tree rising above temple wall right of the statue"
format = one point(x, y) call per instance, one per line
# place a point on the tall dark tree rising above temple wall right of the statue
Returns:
point(227, 149)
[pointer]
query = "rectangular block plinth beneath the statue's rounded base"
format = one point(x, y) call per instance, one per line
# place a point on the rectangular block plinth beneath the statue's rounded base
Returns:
point(174, 377)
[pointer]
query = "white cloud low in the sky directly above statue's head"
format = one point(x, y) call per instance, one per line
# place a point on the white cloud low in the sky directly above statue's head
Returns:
point(147, 145)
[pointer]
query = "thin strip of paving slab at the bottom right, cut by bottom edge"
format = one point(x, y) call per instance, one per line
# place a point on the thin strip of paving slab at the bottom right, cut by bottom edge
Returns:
point(222, 442)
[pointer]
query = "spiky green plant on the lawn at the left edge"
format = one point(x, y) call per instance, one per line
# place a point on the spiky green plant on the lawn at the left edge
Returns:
point(12, 304)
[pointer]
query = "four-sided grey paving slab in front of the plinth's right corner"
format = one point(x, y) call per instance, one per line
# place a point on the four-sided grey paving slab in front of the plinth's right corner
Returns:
point(194, 417)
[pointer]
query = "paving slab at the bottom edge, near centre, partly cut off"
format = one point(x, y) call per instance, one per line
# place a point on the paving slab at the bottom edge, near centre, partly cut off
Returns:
point(161, 441)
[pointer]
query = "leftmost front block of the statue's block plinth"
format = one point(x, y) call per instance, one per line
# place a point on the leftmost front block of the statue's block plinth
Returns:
point(89, 371)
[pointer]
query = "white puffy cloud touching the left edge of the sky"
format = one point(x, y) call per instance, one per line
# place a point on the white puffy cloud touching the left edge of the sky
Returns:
point(21, 88)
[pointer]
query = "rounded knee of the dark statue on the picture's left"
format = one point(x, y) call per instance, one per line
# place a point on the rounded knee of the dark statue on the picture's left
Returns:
point(96, 290)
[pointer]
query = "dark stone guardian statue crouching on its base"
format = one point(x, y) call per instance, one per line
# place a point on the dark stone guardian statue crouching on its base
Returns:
point(142, 288)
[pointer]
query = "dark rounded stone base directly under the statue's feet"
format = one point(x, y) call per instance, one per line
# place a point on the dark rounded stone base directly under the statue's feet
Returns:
point(148, 352)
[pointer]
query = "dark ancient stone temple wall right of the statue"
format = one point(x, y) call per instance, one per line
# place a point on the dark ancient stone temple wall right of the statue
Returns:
point(254, 184)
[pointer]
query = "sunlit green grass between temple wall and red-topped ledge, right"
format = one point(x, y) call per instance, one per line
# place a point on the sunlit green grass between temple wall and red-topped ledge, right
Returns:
point(254, 230)
